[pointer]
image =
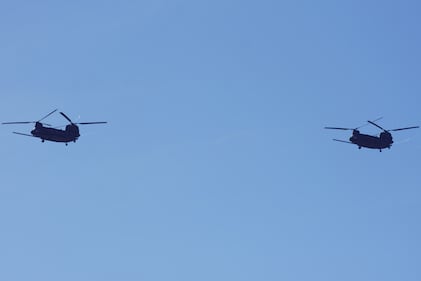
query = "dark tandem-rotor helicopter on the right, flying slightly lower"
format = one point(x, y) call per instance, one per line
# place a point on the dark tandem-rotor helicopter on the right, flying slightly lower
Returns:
point(384, 140)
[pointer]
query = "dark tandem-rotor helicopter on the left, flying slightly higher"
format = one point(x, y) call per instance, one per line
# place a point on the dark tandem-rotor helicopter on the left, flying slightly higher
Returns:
point(46, 132)
